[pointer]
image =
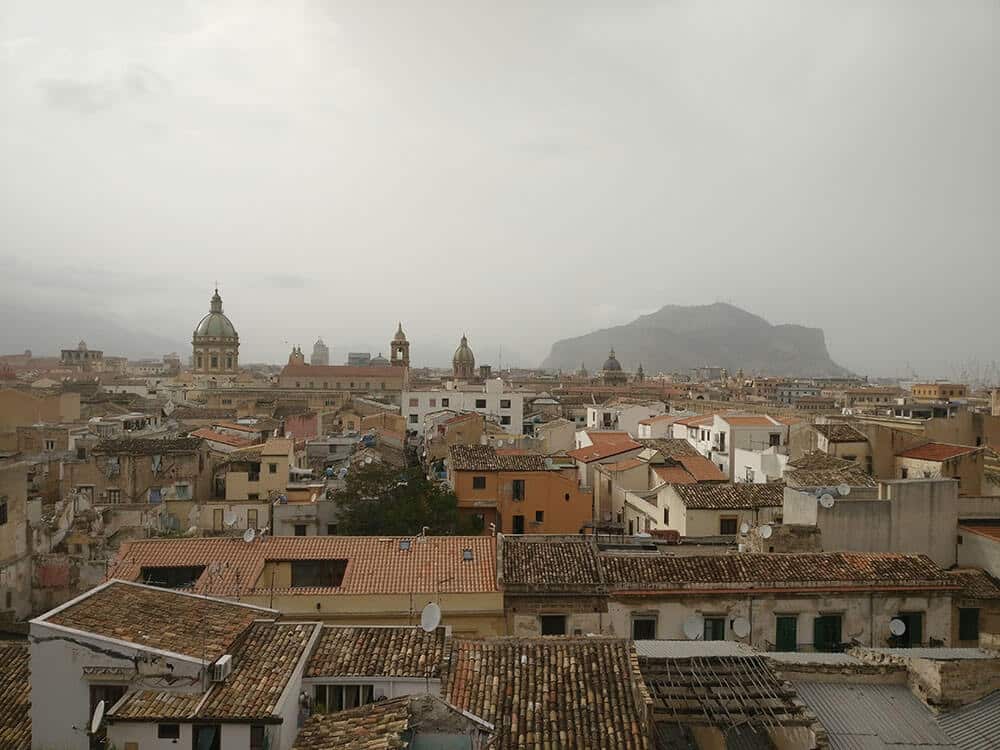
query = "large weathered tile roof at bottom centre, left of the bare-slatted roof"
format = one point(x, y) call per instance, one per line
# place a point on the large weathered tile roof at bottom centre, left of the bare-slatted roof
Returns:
point(546, 693)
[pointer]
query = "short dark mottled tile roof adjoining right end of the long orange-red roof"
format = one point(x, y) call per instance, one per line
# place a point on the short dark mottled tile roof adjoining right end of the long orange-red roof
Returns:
point(538, 562)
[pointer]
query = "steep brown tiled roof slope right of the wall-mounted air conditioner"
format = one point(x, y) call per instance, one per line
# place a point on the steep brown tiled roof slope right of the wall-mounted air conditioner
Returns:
point(264, 663)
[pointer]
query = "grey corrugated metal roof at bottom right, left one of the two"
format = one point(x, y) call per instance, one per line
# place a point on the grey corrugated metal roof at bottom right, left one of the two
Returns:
point(852, 713)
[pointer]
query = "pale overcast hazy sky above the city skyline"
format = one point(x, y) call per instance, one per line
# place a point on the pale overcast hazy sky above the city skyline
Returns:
point(523, 171)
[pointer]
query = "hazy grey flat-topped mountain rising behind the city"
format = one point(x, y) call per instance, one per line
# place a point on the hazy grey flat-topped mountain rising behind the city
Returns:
point(678, 338)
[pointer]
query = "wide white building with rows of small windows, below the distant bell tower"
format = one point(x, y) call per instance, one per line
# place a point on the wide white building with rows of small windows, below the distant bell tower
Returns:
point(493, 400)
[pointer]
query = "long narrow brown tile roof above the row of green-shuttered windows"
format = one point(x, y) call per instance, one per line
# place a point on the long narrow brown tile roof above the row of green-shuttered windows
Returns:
point(793, 570)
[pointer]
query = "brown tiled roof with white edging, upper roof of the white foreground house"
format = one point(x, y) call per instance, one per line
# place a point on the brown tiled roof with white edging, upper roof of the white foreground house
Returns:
point(158, 618)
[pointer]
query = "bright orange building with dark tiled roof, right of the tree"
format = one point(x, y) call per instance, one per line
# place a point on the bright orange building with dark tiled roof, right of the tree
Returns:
point(518, 492)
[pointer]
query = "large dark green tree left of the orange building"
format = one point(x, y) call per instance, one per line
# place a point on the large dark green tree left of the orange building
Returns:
point(382, 500)
